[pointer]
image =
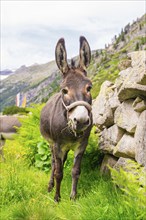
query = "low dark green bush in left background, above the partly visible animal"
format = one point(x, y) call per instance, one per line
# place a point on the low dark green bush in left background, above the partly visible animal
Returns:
point(11, 110)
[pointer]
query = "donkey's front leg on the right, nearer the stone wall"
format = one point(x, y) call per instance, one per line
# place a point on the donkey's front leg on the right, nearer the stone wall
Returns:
point(76, 173)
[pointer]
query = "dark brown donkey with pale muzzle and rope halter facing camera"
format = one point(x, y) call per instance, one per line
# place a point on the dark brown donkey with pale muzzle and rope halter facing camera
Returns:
point(66, 119)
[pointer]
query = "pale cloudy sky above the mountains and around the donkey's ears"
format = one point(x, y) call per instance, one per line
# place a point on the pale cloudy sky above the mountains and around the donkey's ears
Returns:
point(31, 29)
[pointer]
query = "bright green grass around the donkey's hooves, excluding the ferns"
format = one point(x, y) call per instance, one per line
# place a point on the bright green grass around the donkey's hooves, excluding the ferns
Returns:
point(24, 192)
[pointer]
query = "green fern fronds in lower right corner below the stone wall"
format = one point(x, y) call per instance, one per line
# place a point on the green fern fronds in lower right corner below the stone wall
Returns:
point(132, 182)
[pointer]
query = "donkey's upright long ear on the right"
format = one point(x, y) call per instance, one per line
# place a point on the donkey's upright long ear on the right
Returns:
point(85, 53)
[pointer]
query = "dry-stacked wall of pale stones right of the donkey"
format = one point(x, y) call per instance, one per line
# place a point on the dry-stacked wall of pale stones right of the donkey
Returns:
point(119, 112)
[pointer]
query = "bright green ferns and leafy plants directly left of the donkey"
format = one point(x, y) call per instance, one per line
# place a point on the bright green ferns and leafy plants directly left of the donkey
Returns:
point(30, 137)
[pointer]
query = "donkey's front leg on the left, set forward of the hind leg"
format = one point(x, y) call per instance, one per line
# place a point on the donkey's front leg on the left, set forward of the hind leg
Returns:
point(58, 171)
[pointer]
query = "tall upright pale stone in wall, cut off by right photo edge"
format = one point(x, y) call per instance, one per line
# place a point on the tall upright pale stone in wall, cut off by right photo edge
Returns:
point(140, 140)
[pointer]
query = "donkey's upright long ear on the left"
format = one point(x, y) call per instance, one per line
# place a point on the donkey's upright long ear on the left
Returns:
point(61, 56)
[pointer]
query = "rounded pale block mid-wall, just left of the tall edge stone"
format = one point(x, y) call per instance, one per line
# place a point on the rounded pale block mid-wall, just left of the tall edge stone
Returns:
point(125, 116)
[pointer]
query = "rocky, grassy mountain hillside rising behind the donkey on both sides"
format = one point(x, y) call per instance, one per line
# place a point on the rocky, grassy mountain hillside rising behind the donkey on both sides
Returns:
point(40, 81)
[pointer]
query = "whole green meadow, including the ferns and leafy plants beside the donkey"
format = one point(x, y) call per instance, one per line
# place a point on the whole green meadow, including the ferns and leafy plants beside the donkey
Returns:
point(25, 175)
